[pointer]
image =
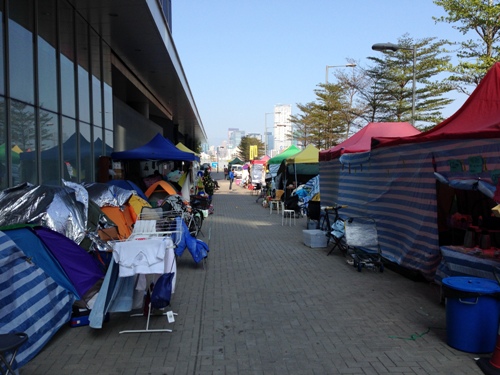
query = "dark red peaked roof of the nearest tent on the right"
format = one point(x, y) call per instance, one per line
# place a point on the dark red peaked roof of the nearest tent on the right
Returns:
point(479, 116)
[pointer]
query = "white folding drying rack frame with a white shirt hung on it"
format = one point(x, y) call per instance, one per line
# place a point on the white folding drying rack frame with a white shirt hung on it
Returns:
point(154, 223)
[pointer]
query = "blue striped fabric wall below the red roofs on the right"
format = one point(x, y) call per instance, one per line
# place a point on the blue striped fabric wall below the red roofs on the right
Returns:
point(397, 187)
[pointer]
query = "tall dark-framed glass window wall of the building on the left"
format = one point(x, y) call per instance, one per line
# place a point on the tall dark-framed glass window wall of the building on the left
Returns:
point(56, 112)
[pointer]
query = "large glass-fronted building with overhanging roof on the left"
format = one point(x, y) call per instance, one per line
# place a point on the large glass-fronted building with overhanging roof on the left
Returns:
point(82, 78)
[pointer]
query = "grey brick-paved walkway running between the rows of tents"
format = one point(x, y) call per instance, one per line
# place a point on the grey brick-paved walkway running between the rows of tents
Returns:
point(267, 304)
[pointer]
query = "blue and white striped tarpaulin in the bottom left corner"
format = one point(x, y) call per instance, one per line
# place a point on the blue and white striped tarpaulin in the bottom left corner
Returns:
point(30, 301)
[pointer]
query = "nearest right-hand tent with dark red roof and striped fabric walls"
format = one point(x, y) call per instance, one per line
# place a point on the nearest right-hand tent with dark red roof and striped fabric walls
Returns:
point(395, 184)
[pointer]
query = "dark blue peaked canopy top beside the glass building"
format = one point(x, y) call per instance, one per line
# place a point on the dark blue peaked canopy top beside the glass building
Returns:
point(159, 148)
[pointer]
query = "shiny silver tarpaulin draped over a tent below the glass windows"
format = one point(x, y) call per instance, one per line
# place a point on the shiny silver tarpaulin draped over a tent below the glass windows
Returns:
point(58, 208)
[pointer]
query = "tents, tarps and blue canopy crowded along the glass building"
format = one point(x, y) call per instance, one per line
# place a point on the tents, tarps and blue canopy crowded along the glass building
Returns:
point(56, 243)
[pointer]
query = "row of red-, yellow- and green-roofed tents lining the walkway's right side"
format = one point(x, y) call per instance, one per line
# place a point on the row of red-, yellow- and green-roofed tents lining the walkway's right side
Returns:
point(410, 182)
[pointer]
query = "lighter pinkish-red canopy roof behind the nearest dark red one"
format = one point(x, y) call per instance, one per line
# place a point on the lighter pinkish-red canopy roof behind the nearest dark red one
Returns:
point(362, 140)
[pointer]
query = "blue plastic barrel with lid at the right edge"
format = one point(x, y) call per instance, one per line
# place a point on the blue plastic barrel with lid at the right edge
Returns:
point(472, 313)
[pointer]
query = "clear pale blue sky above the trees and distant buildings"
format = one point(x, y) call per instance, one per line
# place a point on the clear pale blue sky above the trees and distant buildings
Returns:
point(241, 58)
